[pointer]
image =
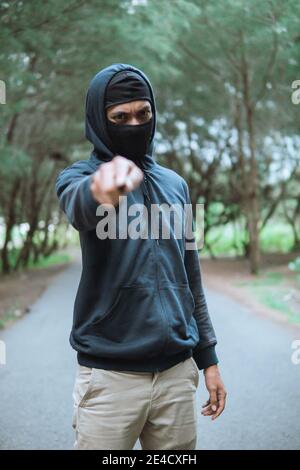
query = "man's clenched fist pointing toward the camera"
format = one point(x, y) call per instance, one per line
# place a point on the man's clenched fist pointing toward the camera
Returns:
point(114, 178)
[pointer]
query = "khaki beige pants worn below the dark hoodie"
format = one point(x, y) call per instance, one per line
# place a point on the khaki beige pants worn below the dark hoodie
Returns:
point(112, 409)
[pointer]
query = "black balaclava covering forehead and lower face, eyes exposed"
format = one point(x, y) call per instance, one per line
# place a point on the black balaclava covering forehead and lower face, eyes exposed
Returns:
point(131, 141)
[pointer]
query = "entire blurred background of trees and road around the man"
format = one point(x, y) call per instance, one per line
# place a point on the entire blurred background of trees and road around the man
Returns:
point(227, 83)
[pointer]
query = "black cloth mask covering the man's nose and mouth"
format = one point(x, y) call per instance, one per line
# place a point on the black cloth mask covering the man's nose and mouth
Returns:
point(130, 141)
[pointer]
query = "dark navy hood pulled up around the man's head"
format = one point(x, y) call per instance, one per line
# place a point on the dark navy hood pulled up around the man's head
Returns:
point(95, 116)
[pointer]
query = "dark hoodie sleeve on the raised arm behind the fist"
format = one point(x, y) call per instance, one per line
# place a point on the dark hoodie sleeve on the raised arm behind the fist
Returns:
point(75, 198)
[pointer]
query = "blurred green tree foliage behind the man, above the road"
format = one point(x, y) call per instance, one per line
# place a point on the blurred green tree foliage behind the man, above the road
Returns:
point(198, 55)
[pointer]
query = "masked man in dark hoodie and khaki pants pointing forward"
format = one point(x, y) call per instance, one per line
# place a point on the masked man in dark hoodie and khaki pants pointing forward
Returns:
point(141, 326)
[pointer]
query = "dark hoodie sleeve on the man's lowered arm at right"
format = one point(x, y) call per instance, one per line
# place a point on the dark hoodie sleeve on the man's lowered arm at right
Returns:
point(204, 353)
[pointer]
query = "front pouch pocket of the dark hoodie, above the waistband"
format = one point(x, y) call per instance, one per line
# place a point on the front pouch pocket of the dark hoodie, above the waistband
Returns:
point(134, 323)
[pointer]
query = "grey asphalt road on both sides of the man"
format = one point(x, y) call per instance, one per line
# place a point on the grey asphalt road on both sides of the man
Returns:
point(263, 406)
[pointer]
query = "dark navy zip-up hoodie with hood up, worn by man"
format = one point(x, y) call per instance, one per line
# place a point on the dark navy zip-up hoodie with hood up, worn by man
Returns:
point(140, 304)
